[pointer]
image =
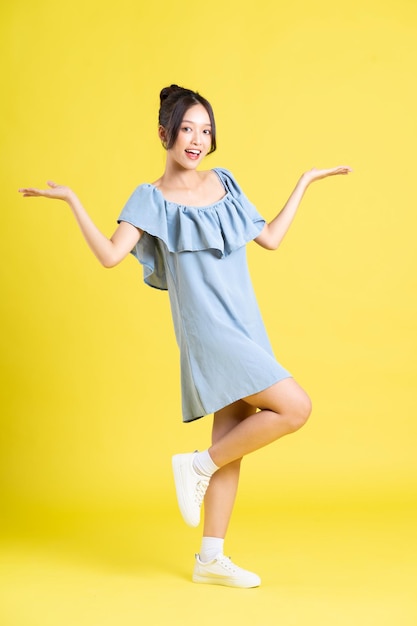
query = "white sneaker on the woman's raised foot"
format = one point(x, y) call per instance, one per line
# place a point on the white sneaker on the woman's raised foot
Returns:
point(190, 486)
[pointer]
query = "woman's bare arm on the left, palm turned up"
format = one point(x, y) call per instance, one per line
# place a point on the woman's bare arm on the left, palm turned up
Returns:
point(108, 251)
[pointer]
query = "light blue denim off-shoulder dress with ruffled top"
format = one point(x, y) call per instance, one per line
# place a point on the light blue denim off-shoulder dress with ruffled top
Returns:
point(198, 254)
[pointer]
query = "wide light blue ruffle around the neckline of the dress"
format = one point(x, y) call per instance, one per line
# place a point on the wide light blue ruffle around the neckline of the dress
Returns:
point(221, 227)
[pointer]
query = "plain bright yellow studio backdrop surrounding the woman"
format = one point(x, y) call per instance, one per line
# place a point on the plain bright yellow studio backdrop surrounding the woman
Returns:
point(90, 382)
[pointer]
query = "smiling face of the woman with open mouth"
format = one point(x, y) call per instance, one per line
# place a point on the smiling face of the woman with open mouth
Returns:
point(193, 141)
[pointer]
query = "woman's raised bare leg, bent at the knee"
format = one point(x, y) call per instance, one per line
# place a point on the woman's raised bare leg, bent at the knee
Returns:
point(285, 407)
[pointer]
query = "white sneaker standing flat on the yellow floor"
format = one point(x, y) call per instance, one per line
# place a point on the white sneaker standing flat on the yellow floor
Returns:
point(221, 571)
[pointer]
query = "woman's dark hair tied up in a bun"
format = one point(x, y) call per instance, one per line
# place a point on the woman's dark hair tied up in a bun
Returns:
point(175, 101)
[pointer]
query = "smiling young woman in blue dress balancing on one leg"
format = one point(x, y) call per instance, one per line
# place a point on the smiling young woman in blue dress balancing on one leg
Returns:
point(189, 229)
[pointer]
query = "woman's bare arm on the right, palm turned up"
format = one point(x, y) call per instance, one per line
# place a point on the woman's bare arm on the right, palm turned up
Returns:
point(274, 232)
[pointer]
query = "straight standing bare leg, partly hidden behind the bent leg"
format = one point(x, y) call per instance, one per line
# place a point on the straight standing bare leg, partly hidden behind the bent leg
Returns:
point(221, 493)
